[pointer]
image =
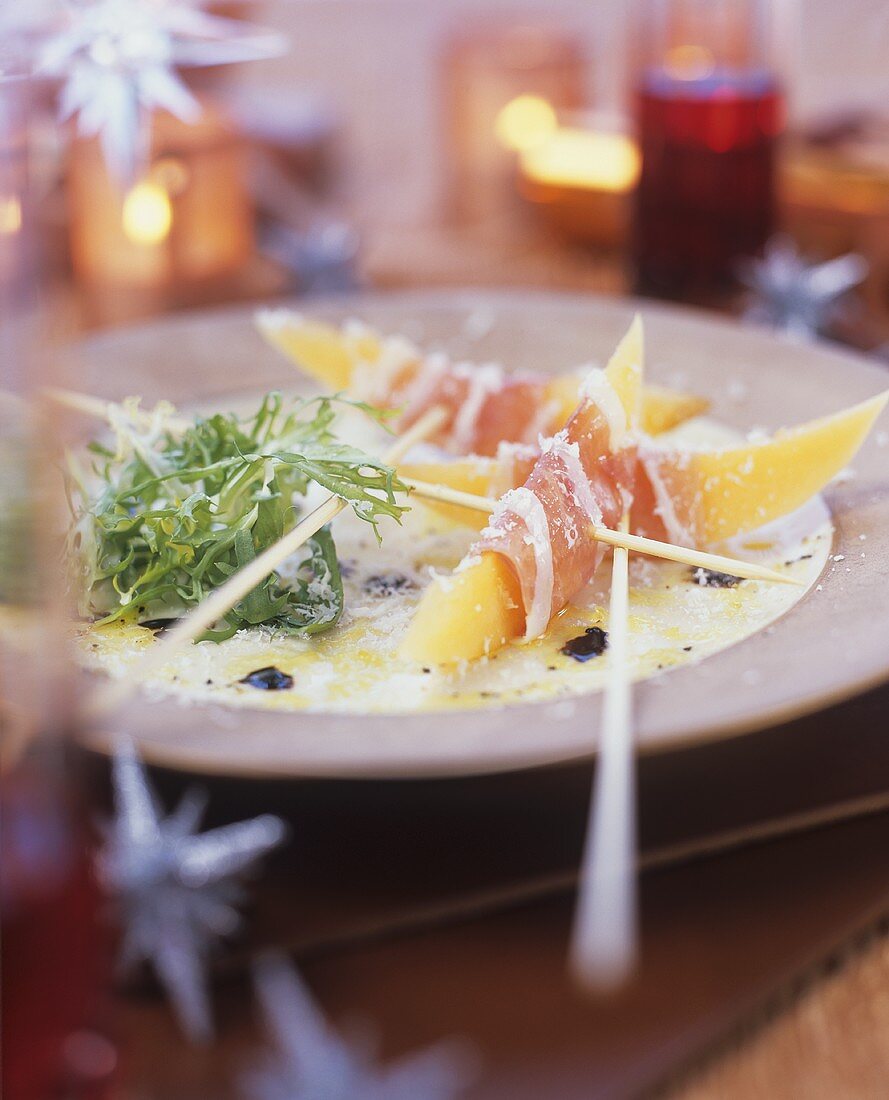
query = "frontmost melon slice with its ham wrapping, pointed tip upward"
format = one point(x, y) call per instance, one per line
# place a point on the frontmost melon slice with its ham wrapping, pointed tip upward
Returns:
point(537, 552)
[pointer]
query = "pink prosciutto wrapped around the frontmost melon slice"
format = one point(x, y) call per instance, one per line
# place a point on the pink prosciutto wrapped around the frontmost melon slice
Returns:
point(584, 477)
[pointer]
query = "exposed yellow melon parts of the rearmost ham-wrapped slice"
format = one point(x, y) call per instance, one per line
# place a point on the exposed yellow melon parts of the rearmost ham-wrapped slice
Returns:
point(331, 356)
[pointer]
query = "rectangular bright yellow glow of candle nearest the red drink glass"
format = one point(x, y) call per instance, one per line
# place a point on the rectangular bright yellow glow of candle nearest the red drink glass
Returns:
point(575, 158)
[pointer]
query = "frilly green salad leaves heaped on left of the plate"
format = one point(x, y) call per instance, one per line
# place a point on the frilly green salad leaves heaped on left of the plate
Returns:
point(168, 512)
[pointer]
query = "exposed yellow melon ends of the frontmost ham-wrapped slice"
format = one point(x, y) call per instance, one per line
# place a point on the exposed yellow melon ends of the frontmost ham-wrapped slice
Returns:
point(479, 609)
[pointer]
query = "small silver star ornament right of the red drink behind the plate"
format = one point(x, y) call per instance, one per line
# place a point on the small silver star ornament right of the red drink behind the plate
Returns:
point(797, 298)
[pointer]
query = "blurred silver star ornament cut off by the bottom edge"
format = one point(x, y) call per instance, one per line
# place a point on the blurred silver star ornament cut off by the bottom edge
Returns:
point(312, 1062)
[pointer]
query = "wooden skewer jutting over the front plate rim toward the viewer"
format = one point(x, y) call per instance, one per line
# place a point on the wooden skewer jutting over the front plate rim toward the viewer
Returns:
point(605, 938)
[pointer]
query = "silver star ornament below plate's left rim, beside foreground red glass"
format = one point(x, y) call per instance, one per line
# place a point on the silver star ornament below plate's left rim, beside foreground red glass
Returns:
point(178, 888)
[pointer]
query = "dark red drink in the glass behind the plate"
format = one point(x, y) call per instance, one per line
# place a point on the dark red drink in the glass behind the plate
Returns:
point(707, 192)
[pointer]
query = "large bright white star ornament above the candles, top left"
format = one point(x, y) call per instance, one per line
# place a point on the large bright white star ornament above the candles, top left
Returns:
point(118, 61)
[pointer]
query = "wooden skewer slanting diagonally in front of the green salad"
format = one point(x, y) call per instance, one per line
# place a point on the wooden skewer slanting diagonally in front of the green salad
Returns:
point(239, 585)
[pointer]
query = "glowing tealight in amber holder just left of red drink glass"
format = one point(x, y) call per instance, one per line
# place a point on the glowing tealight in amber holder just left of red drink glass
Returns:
point(581, 182)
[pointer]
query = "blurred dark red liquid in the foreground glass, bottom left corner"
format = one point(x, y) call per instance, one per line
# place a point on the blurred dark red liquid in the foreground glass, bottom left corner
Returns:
point(52, 956)
